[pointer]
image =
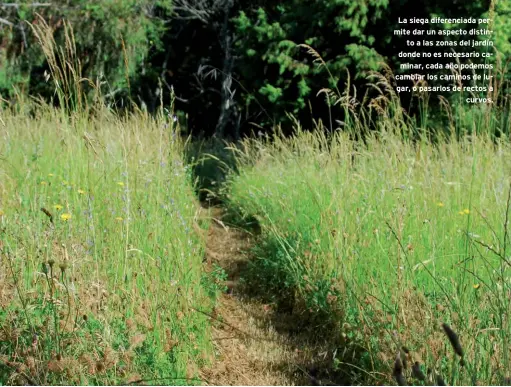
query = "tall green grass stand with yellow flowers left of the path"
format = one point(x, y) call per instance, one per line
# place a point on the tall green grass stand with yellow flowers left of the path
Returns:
point(104, 291)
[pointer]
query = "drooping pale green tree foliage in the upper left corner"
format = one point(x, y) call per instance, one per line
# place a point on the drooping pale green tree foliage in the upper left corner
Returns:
point(112, 40)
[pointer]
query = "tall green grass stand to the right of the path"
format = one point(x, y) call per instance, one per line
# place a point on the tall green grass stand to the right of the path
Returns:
point(389, 245)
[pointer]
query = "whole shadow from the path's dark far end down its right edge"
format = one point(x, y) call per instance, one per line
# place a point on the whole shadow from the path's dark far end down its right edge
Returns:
point(338, 359)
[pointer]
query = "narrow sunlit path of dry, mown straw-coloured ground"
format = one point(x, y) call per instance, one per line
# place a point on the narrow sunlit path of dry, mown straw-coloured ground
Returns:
point(250, 349)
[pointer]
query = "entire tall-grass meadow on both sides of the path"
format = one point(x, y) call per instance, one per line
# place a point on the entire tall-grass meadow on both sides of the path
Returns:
point(386, 238)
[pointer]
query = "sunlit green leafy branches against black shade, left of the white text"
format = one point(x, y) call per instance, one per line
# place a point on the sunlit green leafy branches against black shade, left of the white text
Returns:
point(281, 75)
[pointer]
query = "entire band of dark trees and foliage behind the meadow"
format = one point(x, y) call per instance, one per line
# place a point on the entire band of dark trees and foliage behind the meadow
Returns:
point(234, 66)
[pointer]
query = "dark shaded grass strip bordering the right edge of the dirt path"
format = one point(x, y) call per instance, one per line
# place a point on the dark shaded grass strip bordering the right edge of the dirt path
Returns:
point(332, 358)
